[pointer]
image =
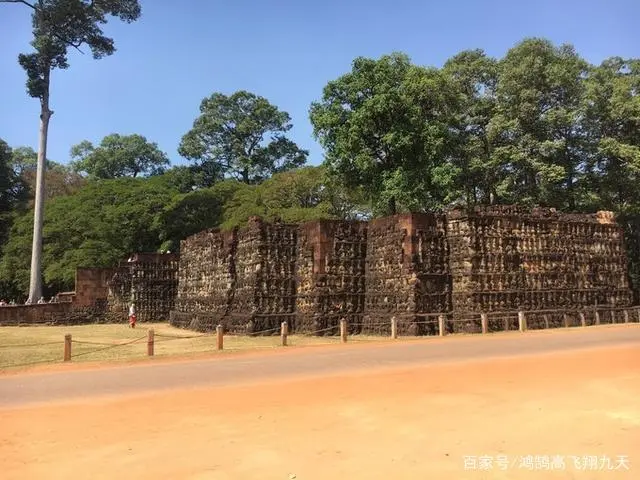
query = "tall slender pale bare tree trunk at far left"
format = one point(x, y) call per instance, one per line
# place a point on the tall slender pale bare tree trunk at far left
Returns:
point(35, 282)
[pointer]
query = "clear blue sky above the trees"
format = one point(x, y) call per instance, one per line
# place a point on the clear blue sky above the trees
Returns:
point(181, 51)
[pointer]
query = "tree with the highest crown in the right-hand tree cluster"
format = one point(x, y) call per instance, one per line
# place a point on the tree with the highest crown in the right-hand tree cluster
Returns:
point(536, 131)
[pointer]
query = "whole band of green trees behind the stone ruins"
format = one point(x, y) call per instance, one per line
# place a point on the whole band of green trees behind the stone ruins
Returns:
point(540, 126)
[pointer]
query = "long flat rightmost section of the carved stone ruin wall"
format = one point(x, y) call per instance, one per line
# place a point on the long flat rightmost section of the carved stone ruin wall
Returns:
point(509, 258)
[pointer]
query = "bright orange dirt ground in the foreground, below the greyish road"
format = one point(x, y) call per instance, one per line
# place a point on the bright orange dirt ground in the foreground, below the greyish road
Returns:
point(416, 423)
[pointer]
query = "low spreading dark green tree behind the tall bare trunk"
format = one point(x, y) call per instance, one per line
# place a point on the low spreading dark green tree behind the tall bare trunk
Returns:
point(97, 226)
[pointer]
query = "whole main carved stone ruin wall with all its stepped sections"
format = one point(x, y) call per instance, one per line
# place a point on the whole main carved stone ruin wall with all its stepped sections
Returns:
point(413, 267)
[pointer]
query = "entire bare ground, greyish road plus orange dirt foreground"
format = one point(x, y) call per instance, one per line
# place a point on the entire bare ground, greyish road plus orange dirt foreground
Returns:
point(556, 405)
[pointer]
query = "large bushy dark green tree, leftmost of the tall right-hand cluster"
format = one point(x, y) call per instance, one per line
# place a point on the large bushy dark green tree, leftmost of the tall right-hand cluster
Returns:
point(385, 127)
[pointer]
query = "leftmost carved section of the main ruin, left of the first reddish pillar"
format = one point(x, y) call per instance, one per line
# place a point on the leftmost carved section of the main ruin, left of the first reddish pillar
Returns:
point(243, 280)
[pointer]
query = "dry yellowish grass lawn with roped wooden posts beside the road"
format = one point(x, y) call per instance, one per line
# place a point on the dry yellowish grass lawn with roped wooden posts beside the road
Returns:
point(21, 347)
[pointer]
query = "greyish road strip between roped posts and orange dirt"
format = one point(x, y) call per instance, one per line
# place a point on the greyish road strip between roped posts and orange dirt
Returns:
point(232, 370)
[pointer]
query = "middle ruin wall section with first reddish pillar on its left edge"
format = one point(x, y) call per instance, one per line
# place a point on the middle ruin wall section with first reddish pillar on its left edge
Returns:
point(330, 276)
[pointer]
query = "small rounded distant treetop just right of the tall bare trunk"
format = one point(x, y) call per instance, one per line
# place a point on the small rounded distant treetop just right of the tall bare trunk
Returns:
point(119, 156)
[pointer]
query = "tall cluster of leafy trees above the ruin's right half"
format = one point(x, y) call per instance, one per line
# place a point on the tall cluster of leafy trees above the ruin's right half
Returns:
point(539, 126)
